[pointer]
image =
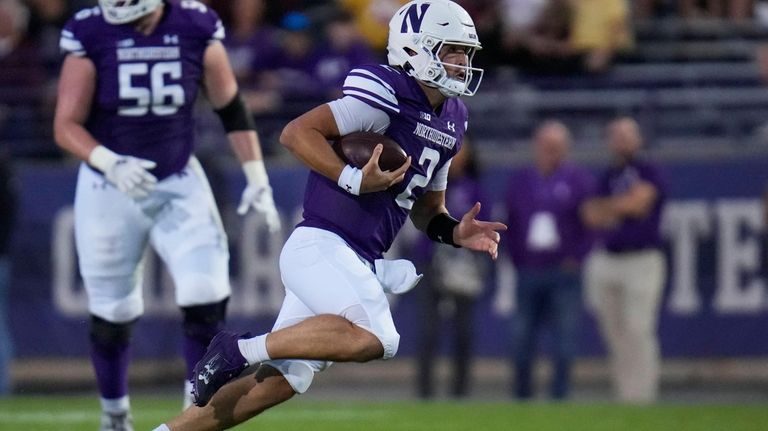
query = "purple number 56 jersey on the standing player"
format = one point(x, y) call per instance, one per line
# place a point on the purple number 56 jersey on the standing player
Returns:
point(147, 85)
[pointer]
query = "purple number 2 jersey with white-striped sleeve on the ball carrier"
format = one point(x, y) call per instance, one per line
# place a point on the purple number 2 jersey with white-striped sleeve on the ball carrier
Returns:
point(369, 222)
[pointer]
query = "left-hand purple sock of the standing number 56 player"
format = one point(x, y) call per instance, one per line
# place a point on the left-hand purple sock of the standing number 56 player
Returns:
point(110, 362)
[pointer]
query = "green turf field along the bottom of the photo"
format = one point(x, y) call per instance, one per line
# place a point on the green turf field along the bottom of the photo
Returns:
point(81, 414)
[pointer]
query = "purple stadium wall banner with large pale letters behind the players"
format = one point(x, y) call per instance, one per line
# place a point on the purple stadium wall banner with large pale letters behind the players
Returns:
point(715, 301)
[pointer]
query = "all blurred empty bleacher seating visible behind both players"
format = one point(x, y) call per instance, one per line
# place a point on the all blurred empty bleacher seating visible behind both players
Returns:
point(690, 84)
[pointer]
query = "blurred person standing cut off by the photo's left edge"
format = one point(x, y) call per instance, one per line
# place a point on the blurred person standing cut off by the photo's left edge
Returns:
point(7, 217)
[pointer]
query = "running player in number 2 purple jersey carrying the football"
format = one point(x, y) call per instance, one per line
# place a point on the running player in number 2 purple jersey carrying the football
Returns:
point(335, 278)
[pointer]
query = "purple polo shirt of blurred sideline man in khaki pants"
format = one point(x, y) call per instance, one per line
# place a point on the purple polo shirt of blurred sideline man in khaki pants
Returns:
point(634, 233)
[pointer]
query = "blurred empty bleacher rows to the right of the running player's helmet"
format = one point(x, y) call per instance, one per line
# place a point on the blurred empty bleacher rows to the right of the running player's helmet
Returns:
point(692, 85)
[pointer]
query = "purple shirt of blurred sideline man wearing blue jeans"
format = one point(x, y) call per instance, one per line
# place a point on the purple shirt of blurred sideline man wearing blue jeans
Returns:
point(552, 202)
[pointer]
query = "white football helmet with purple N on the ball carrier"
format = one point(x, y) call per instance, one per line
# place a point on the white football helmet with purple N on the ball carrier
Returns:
point(417, 32)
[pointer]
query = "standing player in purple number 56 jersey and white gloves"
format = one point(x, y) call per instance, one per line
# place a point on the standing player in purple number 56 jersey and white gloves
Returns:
point(125, 107)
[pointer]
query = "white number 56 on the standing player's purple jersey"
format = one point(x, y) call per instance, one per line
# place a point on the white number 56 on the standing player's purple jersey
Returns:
point(162, 98)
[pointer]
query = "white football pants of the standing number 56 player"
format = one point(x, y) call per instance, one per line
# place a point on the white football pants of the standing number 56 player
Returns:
point(181, 222)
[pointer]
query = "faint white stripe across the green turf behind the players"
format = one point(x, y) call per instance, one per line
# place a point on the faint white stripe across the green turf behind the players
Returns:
point(78, 416)
